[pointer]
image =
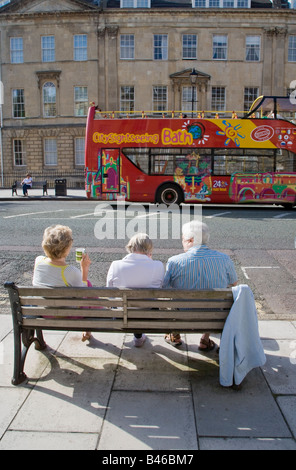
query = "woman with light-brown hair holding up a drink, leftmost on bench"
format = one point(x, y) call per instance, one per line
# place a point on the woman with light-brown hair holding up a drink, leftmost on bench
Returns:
point(52, 270)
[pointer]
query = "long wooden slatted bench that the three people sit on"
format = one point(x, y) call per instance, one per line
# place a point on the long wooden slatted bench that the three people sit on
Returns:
point(108, 309)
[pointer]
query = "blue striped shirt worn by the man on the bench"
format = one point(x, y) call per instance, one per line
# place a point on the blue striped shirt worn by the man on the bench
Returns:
point(200, 268)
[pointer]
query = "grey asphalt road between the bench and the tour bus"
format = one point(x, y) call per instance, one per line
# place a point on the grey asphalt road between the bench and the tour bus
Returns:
point(259, 239)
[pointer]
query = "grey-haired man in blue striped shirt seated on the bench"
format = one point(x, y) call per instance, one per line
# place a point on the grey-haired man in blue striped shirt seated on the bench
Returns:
point(198, 267)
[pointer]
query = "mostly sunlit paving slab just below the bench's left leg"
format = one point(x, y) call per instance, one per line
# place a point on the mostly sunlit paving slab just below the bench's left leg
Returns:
point(71, 396)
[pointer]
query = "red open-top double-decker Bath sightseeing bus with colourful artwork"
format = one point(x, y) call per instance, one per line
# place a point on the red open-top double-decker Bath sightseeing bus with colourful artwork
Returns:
point(176, 158)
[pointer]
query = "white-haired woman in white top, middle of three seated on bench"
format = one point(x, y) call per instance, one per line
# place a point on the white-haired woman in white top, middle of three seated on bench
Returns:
point(137, 269)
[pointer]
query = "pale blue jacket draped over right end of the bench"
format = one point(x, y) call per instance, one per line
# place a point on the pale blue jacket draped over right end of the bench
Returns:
point(240, 349)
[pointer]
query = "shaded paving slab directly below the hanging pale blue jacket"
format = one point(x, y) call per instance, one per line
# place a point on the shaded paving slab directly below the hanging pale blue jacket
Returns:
point(249, 412)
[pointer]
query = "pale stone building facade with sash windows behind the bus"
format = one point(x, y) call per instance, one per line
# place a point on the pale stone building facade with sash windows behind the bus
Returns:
point(58, 56)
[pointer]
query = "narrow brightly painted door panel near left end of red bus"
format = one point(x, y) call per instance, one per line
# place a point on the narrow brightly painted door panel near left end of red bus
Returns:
point(110, 168)
